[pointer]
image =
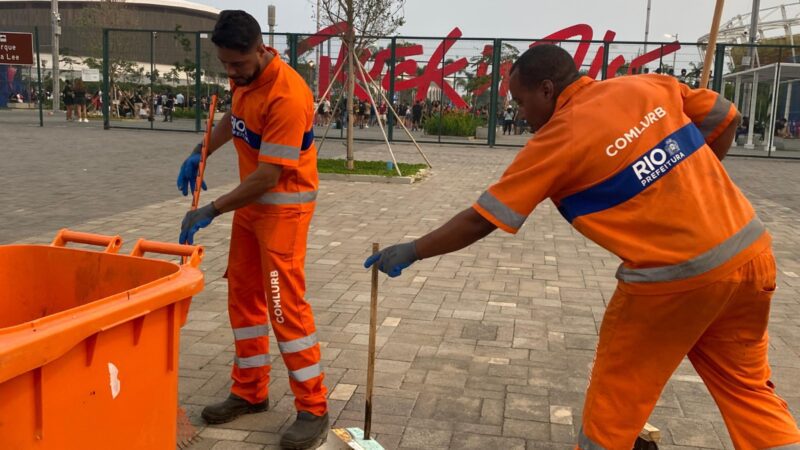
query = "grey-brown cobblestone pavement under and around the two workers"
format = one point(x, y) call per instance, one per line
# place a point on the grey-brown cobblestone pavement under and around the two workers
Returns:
point(485, 348)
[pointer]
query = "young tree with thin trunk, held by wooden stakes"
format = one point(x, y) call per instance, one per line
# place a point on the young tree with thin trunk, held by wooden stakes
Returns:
point(366, 20)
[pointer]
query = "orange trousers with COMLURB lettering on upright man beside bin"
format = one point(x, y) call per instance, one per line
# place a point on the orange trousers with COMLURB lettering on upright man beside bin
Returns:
point(266, 285)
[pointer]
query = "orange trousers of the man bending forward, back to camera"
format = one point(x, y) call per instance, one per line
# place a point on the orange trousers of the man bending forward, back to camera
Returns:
point(722, 327)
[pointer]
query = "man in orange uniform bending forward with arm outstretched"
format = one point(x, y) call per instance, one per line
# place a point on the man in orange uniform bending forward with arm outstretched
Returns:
point(633, 163)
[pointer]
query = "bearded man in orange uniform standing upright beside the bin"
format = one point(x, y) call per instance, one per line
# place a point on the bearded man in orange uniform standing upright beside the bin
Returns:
point(271, 124)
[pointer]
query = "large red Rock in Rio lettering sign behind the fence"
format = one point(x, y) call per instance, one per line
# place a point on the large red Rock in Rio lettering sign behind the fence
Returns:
point(432, 73)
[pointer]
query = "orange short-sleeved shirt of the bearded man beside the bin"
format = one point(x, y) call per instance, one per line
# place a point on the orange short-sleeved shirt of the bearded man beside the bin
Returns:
point(272, 121)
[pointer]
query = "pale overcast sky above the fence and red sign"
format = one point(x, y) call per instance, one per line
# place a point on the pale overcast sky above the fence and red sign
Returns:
point(690, 19)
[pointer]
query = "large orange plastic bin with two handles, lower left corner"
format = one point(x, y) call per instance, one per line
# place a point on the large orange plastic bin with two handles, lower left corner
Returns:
point(89, 343)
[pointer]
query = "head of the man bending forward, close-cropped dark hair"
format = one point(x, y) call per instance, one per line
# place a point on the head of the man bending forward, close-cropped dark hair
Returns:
point(537, 78)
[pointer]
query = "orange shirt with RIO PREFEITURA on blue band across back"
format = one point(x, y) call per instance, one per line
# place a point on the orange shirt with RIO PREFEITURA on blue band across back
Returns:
point(626, 161)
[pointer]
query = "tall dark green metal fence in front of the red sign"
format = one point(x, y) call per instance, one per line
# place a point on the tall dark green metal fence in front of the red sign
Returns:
point(449, 89)
